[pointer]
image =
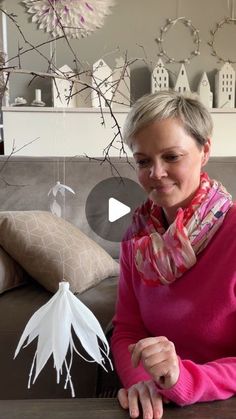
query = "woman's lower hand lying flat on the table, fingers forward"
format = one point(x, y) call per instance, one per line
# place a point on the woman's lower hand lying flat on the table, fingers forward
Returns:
point(146, 394)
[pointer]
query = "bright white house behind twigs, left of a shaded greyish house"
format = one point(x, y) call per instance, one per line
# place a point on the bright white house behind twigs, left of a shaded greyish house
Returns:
point(102, 79)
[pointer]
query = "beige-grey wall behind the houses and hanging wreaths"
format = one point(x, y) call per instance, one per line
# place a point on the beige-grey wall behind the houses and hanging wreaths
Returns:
point(132, 23)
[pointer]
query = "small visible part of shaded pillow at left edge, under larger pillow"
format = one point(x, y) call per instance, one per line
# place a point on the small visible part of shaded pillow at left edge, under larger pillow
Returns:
point(11, 274)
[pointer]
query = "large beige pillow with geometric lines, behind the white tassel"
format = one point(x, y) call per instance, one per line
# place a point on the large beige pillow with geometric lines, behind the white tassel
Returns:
point(50, 249)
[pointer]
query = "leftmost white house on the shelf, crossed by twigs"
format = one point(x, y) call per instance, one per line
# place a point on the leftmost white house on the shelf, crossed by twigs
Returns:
point(64, 90)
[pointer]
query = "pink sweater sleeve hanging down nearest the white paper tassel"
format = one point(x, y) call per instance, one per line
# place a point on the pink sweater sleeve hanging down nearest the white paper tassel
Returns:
point(128, 325)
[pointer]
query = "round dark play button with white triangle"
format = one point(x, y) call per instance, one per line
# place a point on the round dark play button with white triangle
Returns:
point(110, 206)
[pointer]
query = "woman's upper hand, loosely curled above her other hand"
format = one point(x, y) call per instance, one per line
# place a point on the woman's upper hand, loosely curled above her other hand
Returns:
point(159, 359)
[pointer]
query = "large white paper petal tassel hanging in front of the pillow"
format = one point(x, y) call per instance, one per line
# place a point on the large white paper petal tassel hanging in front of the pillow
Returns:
point(53, 324)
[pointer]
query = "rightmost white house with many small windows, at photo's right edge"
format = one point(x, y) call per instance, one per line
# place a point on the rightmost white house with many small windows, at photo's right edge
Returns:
point(225, 87)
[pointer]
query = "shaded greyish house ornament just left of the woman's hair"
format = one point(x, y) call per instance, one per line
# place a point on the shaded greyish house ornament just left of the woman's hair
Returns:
point(121, 85)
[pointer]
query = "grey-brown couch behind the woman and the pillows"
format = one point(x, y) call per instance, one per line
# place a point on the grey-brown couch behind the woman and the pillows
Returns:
point(25, 182)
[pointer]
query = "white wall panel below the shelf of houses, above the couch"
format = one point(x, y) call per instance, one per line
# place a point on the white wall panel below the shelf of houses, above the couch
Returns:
point(76, 132)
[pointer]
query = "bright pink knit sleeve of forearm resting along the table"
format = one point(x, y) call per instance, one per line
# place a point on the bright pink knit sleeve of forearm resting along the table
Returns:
point(214, 380)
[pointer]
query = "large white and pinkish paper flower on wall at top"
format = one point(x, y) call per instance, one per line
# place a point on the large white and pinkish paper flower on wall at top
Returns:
point(75, 18)
